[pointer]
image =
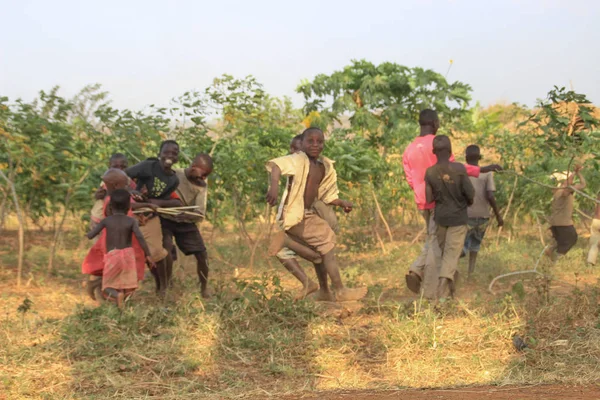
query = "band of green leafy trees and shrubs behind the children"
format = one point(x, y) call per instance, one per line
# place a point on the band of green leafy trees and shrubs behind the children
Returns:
point(55, 149)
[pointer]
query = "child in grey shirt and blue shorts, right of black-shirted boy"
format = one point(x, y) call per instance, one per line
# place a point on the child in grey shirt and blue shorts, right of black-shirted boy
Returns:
point(479, 212)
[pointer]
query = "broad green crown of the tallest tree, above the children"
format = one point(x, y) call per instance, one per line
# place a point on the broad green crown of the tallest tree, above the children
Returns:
point(380, 98)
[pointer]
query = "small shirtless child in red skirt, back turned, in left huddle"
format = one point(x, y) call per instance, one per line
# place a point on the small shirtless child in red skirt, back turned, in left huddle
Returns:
point(119, 261)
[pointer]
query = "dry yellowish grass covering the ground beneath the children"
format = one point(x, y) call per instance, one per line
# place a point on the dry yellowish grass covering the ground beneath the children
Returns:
point(252, 340)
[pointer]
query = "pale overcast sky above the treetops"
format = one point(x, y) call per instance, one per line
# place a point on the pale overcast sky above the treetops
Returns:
point(149, 51)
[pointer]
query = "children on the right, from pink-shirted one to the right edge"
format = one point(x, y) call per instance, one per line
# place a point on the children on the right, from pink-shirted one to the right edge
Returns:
point(455, 200)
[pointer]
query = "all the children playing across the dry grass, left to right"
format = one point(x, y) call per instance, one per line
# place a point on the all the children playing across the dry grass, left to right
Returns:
point(454, 199)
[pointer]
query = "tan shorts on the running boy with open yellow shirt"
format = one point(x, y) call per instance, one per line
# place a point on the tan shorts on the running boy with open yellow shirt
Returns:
point(314, 231)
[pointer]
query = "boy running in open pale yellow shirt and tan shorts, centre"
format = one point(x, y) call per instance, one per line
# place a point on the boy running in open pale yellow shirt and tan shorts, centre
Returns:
point(314, 179)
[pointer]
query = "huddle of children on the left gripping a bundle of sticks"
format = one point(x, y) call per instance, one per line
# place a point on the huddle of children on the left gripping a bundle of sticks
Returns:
point(139, 210)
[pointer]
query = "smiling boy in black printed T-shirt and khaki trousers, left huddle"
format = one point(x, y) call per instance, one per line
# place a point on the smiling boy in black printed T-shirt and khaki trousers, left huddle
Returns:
point(156, 178)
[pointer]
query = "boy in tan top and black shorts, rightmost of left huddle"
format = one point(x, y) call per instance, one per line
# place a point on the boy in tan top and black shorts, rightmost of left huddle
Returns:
point(192, 191)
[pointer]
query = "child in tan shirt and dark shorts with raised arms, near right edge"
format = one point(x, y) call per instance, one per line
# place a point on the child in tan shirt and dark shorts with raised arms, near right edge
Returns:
point(561, 218)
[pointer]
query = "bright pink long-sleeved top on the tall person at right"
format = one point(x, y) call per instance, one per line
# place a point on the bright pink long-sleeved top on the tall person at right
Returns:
point(419, 156)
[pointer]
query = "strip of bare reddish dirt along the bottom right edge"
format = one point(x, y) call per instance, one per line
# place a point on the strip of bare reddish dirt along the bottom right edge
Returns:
point(545, 392)
